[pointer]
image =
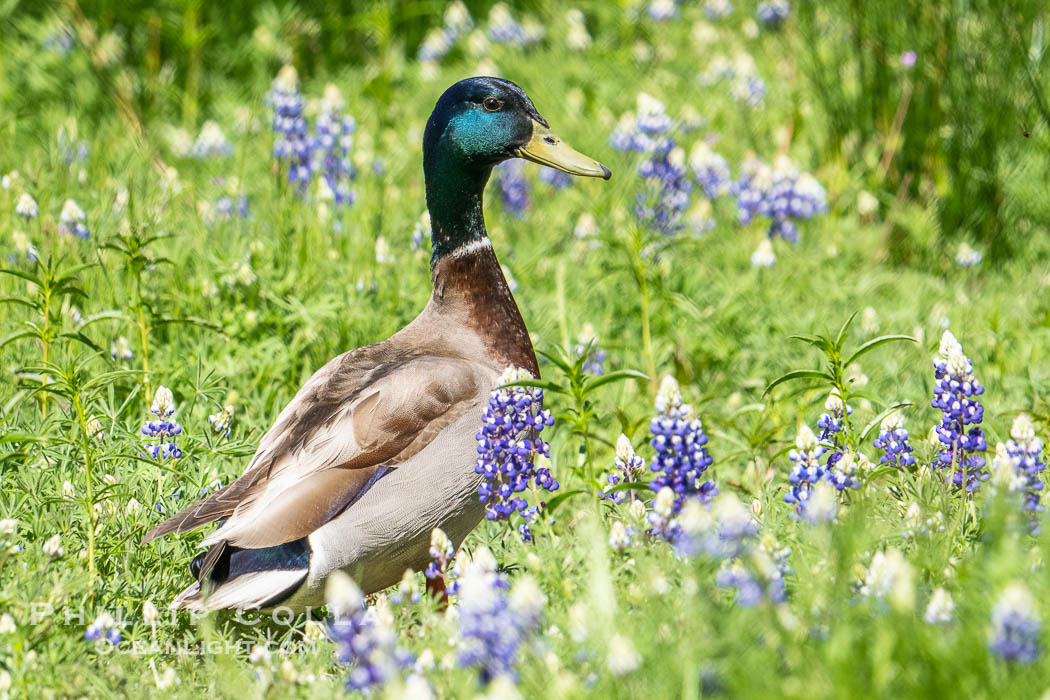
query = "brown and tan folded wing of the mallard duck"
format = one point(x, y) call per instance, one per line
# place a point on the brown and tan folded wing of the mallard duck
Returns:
point(365, 412)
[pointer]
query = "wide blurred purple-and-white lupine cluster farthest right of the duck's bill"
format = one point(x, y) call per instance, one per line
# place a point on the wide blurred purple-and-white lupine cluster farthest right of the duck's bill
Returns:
point(781, 194)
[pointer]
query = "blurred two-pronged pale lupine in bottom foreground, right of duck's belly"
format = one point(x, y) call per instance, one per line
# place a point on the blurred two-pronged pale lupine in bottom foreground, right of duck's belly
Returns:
point(493, 625)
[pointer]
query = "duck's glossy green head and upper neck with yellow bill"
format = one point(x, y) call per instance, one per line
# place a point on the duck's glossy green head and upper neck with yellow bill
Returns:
point(477, 124)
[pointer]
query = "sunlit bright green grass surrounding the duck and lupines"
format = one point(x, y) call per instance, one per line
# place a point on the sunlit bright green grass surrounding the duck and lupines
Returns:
point(718, 325)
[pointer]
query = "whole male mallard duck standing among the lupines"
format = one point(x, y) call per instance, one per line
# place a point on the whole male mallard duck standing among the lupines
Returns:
point(379, 447)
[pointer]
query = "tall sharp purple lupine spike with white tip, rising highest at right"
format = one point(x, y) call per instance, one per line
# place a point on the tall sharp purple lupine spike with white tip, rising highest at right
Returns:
point(956, 395)
